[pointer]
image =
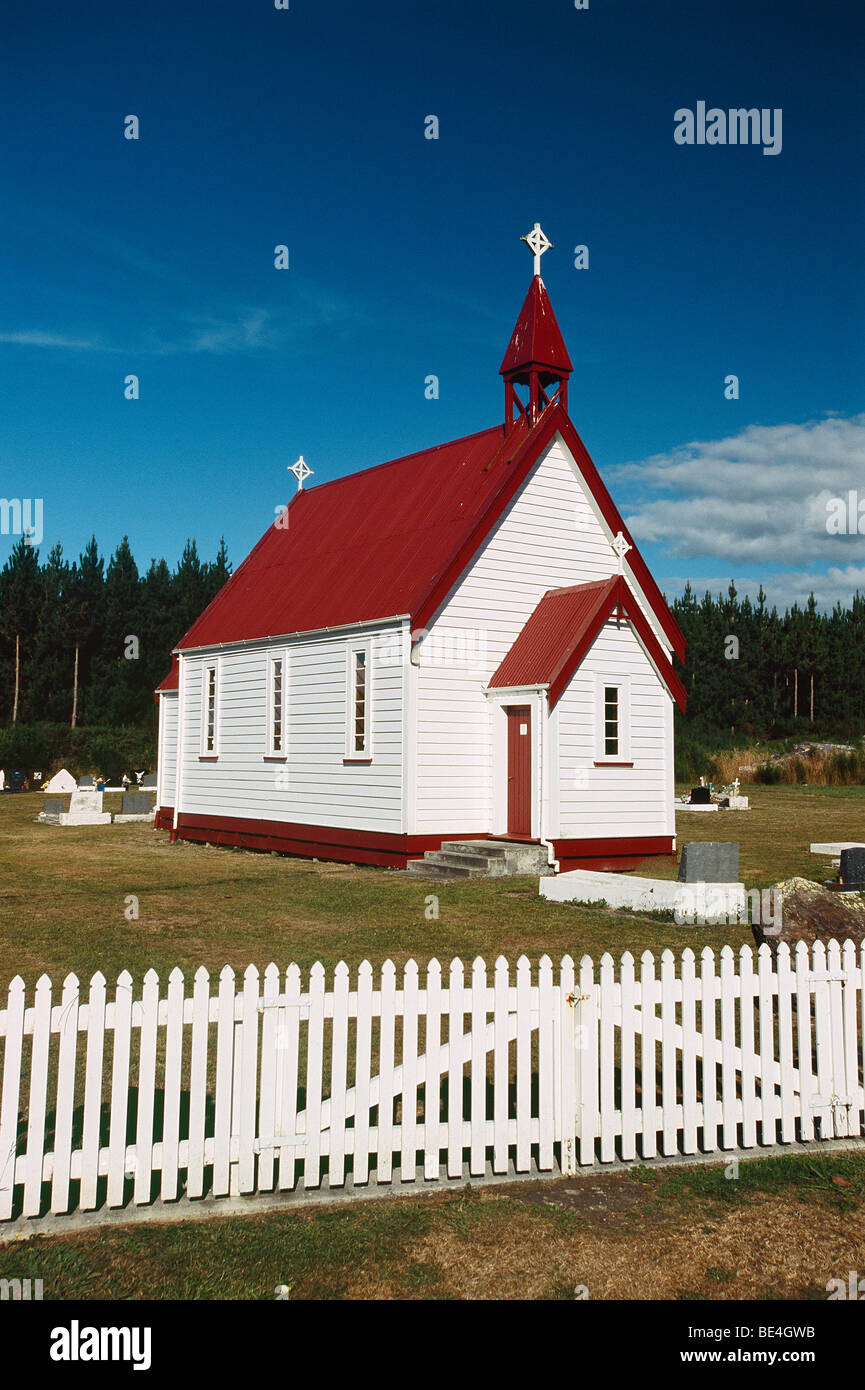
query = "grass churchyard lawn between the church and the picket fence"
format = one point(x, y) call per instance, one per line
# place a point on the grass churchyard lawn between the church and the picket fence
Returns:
point(63, 897)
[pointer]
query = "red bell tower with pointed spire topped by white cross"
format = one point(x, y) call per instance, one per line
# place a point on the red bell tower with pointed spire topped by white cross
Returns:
point(537, 358)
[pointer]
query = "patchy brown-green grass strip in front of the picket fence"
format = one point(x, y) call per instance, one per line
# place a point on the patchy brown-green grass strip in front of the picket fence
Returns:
point(782, 1229)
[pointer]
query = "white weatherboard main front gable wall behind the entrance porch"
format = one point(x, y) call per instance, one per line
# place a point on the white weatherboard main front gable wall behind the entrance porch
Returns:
point(550, 537)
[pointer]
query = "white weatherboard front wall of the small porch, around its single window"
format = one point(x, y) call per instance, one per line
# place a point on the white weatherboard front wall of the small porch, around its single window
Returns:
point(611, 803)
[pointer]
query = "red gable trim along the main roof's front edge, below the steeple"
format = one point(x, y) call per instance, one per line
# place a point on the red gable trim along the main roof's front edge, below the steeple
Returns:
point(553, 420)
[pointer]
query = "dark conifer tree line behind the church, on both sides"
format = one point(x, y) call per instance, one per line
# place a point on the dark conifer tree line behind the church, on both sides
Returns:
point(87, 643)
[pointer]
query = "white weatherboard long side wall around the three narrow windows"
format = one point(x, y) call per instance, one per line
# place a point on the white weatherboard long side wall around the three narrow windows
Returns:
point(315, 786)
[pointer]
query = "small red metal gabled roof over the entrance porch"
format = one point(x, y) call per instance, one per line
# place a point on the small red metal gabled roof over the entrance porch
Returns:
point(564, 628)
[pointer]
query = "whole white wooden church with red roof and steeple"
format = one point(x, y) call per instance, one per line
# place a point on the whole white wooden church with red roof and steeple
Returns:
point(462, 644)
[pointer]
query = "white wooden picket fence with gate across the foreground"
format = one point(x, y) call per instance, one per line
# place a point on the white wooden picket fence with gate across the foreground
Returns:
point(269, 1086)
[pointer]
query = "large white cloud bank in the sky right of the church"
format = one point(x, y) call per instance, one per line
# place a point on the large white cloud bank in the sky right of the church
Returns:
point(759, 497)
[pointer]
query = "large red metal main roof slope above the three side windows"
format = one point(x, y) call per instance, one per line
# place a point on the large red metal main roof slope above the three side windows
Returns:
point(365, 547)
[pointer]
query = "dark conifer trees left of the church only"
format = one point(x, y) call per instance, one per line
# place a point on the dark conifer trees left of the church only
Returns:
point(87, 643)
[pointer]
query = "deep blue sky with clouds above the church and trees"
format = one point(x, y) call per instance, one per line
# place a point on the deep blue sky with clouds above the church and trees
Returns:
point(307, 127)
